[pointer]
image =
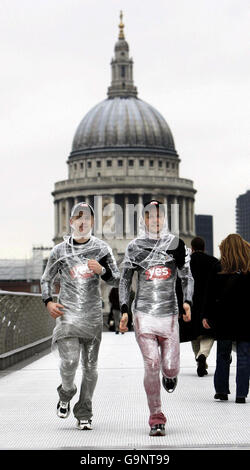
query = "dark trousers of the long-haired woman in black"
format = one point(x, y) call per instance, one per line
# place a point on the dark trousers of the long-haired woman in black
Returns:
point(221, 376)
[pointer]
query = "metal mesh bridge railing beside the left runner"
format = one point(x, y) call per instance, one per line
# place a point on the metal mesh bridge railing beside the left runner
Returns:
point(25, 327)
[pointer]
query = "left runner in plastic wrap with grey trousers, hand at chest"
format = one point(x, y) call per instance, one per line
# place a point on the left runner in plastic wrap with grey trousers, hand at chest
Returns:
point(80, 261)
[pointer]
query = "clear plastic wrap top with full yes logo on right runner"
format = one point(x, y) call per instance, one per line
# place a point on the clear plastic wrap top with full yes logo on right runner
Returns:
point(157, 263)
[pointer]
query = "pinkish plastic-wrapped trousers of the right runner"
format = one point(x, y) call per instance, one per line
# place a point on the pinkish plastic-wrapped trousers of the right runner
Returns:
point(160, 353)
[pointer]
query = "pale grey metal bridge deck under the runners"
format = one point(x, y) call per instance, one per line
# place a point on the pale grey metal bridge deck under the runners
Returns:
point(194, 419)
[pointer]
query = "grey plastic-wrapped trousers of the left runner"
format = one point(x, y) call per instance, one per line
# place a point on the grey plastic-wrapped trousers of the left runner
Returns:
point(70, 350)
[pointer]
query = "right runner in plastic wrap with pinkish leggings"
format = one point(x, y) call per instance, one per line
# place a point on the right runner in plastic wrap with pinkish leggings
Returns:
point(156, 256)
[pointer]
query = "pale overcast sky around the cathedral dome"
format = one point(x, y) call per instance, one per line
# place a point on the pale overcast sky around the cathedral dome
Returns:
point(191, 62)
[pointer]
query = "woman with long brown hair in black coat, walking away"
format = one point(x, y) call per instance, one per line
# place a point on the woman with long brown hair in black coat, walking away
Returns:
point(227, 311)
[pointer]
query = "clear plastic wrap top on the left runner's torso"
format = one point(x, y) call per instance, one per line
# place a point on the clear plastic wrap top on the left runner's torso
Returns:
point(79, 286)
